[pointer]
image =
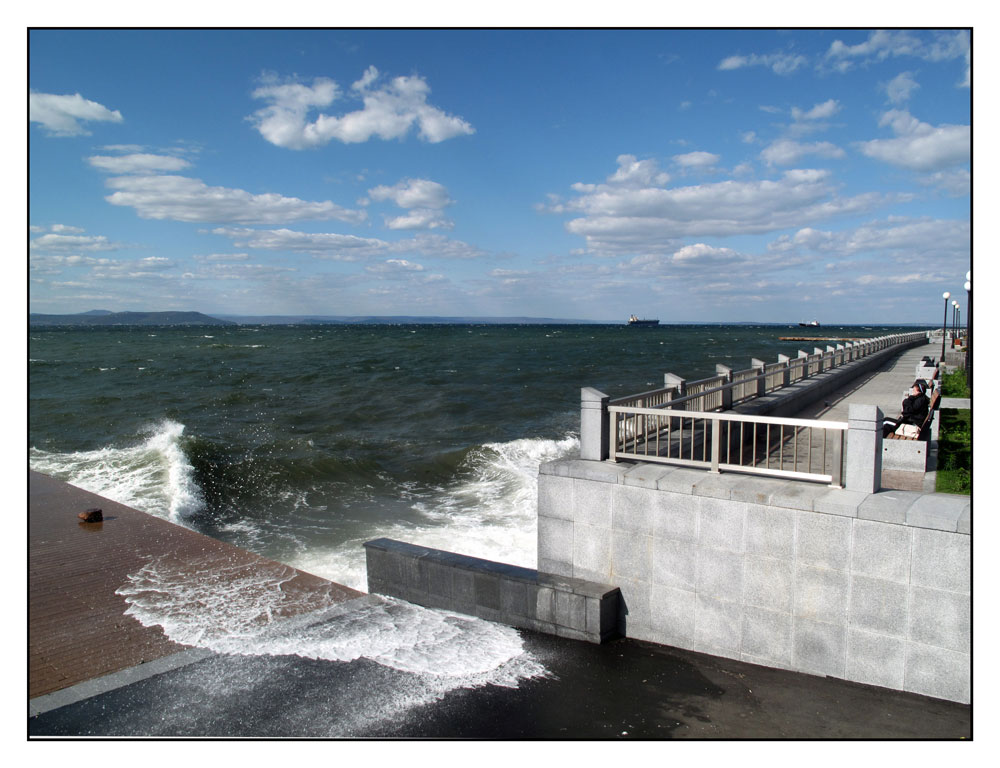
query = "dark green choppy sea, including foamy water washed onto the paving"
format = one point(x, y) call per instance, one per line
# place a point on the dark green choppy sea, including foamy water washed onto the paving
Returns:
point(301, 442)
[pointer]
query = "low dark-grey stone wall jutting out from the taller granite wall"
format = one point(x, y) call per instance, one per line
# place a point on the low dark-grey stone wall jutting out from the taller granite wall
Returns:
point(520, 597)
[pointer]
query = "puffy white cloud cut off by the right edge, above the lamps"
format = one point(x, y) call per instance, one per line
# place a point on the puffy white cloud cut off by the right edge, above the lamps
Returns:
point(919, 146)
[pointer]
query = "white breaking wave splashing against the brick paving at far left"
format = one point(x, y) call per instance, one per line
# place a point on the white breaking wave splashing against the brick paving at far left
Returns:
point(153, 476)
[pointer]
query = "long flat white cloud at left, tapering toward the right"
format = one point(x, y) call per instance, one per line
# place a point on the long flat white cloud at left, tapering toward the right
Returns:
point(181, 198)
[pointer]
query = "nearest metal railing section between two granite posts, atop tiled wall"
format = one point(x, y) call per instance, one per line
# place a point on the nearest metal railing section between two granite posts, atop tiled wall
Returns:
point(793, 448)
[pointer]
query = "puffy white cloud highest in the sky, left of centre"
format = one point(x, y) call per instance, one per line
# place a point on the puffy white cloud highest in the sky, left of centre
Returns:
point(389, 112)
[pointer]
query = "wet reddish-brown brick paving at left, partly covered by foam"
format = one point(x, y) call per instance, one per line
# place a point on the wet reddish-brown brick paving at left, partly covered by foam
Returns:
point(77, 627)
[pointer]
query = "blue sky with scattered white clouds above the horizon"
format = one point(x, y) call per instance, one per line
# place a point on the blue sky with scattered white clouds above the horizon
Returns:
point(680, 174)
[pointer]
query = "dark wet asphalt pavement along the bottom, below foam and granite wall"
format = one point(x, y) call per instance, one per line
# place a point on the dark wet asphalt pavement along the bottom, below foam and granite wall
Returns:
point(621, 690)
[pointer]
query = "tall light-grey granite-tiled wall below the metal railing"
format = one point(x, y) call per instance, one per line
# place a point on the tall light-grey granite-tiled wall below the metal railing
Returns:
point(869, 587)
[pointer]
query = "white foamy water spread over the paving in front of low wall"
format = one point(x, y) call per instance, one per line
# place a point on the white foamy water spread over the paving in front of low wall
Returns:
point(249, 612)
